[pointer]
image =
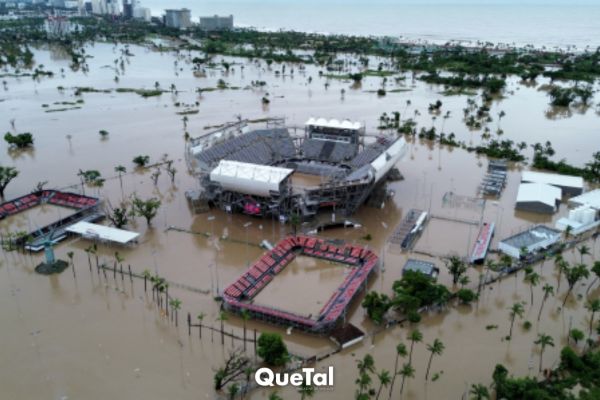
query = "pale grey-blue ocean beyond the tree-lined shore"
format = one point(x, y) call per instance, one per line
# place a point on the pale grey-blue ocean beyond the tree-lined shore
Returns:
point(559, 24)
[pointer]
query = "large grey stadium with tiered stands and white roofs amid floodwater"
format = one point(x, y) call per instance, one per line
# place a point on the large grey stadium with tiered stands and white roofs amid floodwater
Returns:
point(281, 171)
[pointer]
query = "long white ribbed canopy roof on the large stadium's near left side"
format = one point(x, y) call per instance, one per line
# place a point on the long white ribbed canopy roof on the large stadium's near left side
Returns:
point(249, 178)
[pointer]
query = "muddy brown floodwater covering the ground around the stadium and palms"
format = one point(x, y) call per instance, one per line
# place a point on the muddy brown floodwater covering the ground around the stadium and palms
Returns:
point(93, 336)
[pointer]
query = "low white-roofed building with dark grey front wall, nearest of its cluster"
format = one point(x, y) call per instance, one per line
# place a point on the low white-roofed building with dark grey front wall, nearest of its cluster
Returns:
point(538, 197)
